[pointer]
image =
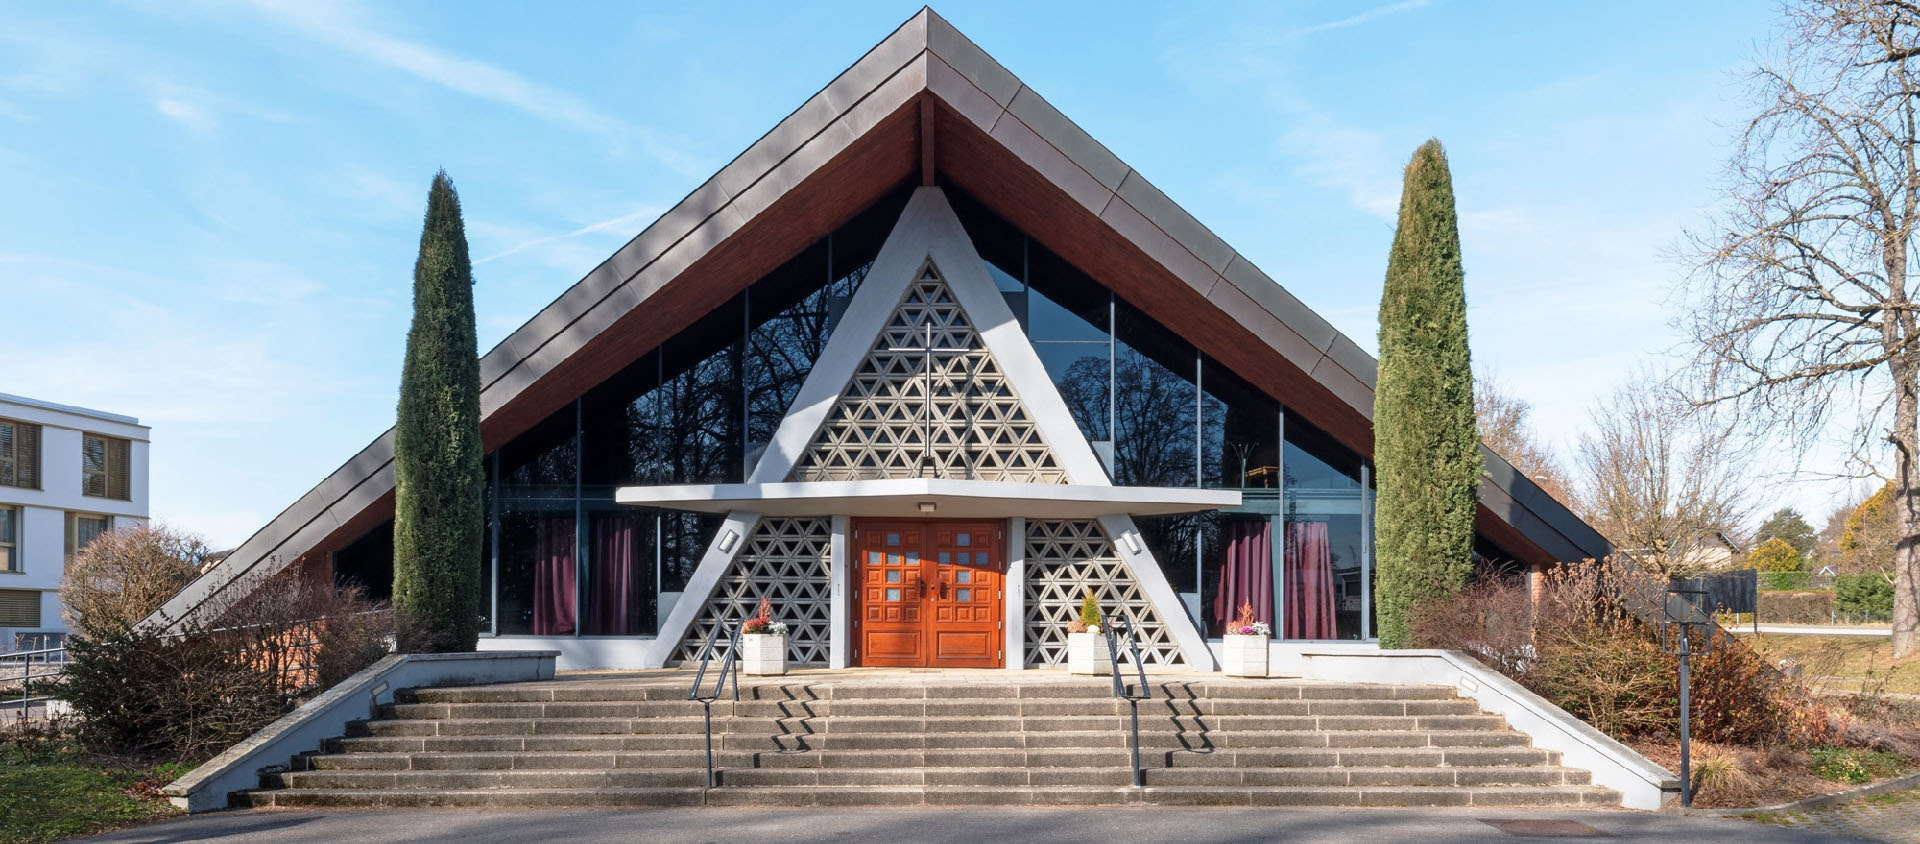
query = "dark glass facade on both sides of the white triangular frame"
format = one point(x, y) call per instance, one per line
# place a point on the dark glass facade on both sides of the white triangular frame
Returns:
point(564, 559)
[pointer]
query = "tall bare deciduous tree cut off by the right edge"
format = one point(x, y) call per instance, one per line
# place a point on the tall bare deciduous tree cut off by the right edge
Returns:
point(1802, 312)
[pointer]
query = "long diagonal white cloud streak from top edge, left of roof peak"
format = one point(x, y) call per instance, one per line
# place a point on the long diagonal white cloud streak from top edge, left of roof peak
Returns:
point(335, 26)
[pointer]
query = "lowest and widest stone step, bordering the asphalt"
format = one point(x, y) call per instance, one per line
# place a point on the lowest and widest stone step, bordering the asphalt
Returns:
point(938, 795)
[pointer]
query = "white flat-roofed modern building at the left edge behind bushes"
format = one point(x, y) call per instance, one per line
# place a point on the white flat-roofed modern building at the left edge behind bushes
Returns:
point(68, 475)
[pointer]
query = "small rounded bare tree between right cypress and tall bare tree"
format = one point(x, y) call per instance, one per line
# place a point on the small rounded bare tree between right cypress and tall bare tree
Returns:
point(1660, 479)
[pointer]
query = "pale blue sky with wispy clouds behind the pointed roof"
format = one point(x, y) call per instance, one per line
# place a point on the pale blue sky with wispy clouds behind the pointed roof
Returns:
point(210, 210)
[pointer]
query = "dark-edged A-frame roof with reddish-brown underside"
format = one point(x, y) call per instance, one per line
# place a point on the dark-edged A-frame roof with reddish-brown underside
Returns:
point(924, 105)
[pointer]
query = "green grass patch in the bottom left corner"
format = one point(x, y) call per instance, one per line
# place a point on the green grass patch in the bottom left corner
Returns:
point(62, 795)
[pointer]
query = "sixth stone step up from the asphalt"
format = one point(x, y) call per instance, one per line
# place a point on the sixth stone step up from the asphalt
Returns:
point(923, 709)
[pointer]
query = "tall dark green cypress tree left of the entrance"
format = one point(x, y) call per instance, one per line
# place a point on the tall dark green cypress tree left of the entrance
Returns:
point(439, 481)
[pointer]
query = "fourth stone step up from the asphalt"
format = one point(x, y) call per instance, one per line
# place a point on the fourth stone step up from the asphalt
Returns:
point(882, 741)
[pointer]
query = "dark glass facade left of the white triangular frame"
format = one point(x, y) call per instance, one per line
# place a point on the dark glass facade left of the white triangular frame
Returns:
point(700, 410)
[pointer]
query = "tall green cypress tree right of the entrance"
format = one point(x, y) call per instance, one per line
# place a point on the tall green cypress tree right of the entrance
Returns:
point(1426, 446)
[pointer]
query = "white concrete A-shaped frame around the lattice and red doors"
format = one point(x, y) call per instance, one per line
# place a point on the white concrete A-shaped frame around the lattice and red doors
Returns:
point(928, 231)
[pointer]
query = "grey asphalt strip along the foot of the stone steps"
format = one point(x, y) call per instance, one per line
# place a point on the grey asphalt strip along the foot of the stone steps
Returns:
point(1161, 826)
